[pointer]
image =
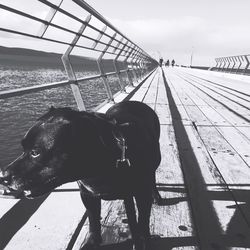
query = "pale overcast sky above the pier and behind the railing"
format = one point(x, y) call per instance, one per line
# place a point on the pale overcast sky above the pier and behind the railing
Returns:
point(172, 29)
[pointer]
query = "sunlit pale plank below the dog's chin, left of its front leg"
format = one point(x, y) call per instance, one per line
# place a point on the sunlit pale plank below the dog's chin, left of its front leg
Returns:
point(53, 224)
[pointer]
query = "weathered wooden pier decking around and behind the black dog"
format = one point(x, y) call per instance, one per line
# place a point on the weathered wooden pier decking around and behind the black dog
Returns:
point(204, 175)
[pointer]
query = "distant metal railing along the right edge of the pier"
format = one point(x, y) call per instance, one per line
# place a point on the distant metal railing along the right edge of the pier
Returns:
point(233, 64)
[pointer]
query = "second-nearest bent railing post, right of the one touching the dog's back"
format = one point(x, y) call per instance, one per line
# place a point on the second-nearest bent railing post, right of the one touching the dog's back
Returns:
point(102, 73)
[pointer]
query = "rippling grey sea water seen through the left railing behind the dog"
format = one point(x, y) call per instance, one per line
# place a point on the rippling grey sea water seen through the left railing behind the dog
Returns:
point(18, 114)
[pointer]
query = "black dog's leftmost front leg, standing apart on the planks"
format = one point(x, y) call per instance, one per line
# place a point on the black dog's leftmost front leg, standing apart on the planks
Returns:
point(93, 206)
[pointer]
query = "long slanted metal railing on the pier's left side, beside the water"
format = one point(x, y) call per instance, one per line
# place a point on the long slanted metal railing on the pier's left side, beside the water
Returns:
point(93, 33)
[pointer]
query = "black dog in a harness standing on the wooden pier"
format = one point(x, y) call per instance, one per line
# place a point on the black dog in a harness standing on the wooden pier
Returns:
point(112, 156)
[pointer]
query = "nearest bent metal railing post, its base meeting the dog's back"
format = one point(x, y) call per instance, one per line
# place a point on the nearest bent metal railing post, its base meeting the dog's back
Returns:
point(69, 69)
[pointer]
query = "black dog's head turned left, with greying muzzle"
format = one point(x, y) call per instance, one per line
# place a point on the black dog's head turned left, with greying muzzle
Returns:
point(49, 155)
